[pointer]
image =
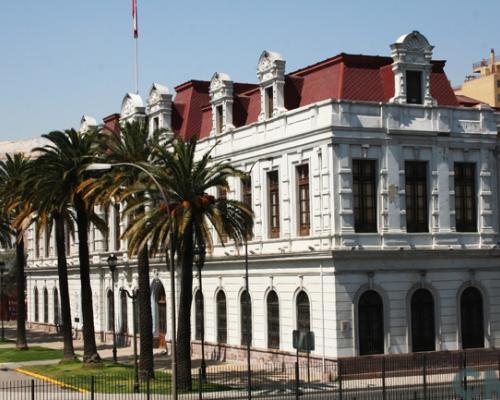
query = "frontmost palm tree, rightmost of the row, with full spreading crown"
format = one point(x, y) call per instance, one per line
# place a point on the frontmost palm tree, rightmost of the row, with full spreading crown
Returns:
point(192, 213)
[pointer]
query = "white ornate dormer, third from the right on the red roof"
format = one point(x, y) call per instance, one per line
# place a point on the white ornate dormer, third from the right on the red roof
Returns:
point(221, 97)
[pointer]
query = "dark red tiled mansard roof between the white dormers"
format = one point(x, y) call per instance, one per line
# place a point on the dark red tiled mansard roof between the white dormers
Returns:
point(344, 76)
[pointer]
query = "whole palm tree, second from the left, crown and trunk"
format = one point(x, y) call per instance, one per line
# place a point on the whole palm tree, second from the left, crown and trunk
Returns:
point(50, 200)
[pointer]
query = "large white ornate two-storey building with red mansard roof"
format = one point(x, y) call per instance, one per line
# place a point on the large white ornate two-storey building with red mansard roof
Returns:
point(375, 196)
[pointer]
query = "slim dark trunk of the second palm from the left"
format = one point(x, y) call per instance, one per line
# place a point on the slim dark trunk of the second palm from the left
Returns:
point(68, 350)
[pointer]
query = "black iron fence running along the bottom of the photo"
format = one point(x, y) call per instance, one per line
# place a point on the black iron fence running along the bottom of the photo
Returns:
point(421, 376)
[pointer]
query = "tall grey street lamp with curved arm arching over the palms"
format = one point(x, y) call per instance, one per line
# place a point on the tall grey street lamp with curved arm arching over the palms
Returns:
point(169, 257)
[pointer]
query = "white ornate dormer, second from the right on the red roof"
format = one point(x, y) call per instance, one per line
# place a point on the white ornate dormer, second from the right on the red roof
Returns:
point(271, 74)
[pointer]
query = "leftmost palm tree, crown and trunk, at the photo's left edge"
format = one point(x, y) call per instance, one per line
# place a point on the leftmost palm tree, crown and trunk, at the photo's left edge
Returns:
point(13, 172)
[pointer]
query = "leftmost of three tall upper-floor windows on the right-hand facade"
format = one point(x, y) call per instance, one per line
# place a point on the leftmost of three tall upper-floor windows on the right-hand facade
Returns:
point(364, 195)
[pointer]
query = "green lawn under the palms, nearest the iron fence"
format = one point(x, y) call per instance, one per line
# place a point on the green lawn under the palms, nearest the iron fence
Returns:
point(110, 378)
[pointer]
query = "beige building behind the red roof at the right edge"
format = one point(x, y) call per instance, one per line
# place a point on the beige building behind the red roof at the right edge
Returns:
point(484, 84)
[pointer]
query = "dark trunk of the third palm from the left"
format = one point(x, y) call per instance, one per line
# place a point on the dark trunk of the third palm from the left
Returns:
point(90, 354)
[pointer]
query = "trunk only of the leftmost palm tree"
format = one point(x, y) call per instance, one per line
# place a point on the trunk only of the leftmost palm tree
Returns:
point(21, 343)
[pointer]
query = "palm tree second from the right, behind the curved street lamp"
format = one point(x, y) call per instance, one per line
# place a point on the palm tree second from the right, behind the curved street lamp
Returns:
point(133, 145)
